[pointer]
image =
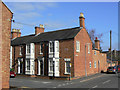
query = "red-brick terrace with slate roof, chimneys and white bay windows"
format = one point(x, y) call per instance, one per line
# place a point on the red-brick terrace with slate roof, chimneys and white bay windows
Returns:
point(57, 53)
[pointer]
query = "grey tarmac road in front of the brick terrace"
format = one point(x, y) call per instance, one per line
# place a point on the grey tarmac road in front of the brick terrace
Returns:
point(94, 81)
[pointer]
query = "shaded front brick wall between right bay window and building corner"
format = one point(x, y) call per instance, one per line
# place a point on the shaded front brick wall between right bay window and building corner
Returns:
point(66, 50)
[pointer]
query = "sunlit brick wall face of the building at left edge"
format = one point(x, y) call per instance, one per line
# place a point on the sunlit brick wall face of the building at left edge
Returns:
point(6, 29)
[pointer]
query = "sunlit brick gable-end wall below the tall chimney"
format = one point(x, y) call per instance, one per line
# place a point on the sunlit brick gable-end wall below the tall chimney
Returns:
point(79, 57)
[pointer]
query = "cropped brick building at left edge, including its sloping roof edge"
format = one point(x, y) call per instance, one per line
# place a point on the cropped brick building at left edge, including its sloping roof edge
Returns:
point(5, 31)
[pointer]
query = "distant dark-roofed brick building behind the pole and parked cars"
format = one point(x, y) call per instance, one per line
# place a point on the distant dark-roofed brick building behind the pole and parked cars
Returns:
point(115, 57)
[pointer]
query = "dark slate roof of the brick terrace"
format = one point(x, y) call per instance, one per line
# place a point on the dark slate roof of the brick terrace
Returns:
point(47, 36)
